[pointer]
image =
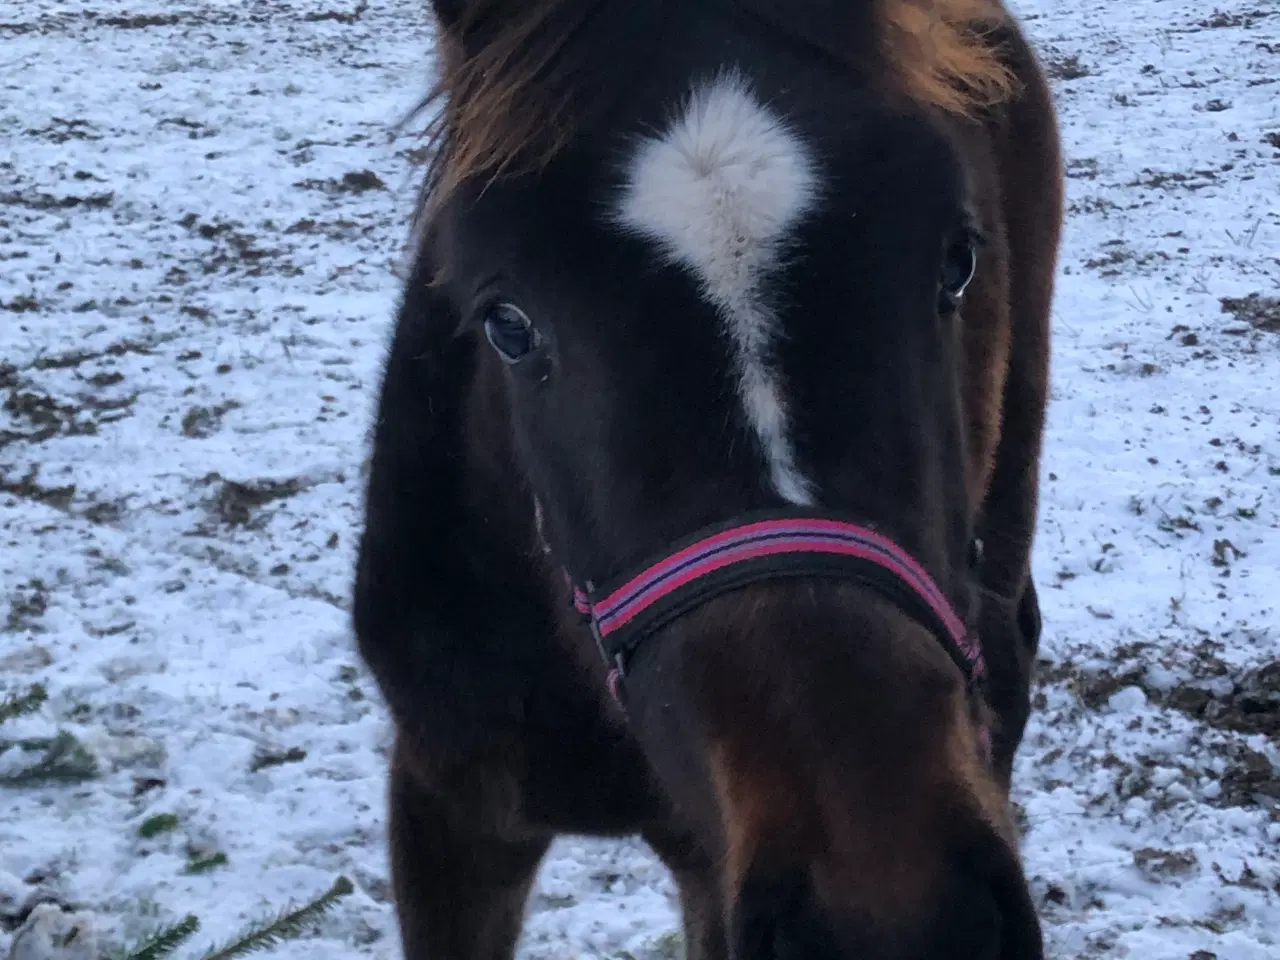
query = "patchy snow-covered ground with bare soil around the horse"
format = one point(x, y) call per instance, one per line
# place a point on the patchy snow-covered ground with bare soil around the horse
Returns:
point(203, 207)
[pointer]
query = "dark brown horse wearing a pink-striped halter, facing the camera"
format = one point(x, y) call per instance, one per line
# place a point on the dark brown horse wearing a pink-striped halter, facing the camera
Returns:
point(705, 474)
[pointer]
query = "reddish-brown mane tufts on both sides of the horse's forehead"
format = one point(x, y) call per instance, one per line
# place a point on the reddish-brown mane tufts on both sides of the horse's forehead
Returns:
point(508, 103)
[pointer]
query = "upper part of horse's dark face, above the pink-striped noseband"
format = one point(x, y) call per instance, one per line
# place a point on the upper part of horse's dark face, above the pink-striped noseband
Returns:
point(729, 314)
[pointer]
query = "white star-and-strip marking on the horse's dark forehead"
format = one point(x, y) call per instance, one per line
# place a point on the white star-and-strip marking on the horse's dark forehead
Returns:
point(719, 193)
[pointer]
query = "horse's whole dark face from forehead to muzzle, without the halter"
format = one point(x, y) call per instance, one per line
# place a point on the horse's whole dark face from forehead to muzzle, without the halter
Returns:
point(733, 307)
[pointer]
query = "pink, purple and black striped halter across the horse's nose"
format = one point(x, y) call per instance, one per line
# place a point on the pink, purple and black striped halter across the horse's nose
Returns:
point(765, 546)
